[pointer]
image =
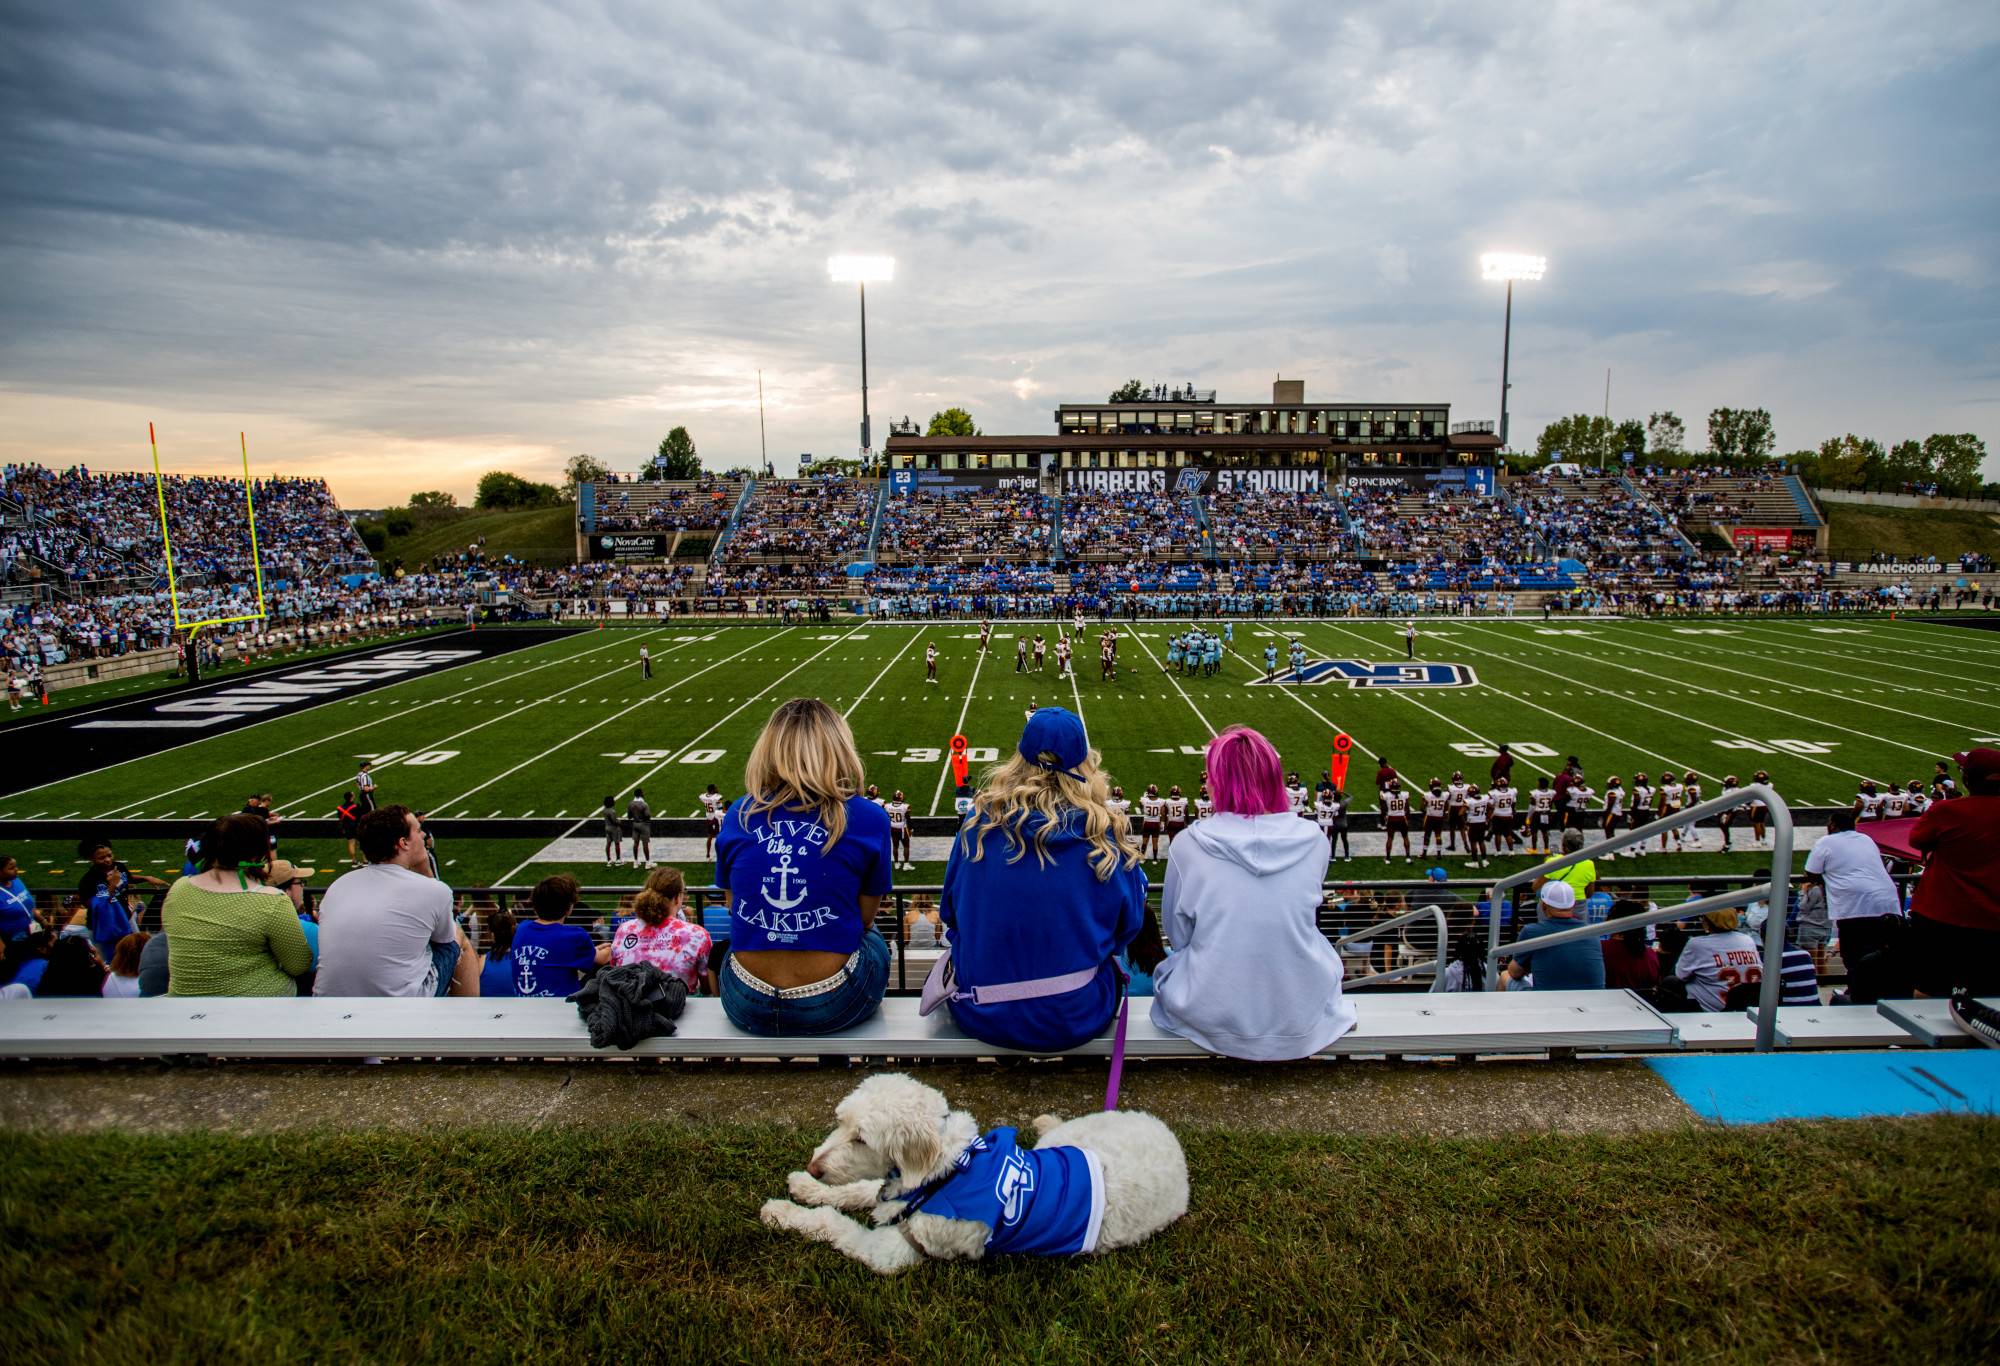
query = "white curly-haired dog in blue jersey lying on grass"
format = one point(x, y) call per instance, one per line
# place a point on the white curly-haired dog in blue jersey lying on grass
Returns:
point(937, 1187)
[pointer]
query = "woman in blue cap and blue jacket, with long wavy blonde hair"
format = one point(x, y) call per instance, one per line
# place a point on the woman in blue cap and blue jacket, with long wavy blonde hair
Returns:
point(1035, 943)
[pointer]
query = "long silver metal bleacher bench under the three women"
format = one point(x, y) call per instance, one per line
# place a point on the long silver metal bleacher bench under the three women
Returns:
point(235, 1027)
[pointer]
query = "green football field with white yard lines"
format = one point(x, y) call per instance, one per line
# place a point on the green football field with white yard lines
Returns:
point(551, 731)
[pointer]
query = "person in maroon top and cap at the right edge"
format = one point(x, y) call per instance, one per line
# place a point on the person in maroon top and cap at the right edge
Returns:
point(1955, 921)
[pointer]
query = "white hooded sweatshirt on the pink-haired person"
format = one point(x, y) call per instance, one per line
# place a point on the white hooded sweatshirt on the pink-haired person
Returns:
point(1251, 975)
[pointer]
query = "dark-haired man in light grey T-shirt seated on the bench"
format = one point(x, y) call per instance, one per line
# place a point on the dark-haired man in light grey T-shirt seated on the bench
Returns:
point(387, 929)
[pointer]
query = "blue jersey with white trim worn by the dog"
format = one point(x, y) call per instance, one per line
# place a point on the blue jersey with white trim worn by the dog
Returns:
point(1037, 1201)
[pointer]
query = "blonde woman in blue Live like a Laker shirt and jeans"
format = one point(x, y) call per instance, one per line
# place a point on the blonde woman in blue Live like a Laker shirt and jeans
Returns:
point(805, 861)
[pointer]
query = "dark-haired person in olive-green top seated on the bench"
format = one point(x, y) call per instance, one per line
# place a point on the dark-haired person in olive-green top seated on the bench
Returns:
point(231, 933)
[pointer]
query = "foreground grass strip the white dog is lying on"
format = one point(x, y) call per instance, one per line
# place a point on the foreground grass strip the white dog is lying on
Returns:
point(1833, 1241)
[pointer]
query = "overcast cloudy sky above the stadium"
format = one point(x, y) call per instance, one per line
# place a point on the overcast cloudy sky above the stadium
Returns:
point(409, 243)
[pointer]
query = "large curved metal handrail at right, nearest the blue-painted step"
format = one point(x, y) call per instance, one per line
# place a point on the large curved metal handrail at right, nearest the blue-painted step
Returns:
point(1775, 893)
